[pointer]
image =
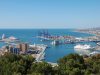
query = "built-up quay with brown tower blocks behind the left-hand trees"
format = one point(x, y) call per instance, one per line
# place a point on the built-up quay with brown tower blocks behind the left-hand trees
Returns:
point(35, 50)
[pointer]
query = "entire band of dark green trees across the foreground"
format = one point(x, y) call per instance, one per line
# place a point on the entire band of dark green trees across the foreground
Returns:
point(72, 64)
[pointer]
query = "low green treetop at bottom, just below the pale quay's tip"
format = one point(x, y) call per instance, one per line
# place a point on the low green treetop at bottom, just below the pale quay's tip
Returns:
point(42, 67)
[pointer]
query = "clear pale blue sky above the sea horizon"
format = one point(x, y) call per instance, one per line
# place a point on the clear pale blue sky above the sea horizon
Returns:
point(49, 14)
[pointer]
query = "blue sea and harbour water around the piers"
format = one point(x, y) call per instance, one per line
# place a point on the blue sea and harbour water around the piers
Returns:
point(54, 52)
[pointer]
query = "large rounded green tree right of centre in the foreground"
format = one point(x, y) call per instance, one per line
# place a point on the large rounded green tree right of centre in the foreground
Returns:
point(71, 64)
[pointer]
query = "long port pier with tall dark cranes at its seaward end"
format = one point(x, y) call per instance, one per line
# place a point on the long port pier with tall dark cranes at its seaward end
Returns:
point(67, 39)
